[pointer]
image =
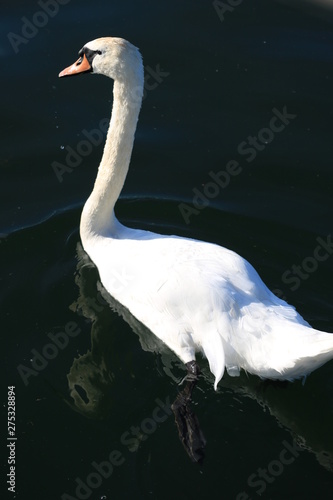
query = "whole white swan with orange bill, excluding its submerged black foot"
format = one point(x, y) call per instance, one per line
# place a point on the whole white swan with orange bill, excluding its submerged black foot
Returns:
point(193, 295)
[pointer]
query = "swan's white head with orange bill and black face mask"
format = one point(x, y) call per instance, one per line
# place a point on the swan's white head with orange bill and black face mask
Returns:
point(110, 56)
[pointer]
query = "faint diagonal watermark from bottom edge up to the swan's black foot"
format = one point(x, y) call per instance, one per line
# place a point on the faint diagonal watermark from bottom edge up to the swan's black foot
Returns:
point(130, 439)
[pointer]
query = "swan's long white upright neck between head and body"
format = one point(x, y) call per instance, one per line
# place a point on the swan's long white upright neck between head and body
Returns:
point(98, 214)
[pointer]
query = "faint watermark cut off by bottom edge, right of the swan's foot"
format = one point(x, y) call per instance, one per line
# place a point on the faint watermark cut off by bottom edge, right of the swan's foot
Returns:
point(259, 479)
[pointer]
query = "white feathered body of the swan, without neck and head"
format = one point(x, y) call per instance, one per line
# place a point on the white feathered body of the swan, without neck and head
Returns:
point(198, 296)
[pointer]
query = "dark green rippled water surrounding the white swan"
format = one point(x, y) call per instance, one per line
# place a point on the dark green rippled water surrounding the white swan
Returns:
point(93, 415)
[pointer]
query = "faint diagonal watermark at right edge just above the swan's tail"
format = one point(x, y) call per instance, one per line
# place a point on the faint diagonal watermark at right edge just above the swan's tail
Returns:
point(298, 273)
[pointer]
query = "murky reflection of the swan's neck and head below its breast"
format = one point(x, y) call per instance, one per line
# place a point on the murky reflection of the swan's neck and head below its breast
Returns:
point(92, 375)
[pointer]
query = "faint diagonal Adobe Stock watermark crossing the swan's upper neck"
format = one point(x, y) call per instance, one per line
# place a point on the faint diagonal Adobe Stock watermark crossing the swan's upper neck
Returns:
point(95, 137)
